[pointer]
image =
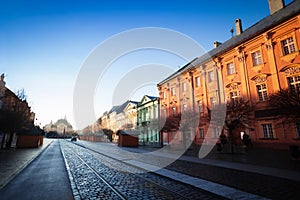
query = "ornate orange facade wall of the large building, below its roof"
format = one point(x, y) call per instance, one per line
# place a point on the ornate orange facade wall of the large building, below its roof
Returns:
point(251, 70)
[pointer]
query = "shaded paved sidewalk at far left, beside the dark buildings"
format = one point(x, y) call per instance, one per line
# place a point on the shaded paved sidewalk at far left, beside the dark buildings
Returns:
point(14, 160)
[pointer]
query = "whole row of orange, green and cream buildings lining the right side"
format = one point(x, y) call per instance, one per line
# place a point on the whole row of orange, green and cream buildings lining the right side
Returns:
point(251, 66)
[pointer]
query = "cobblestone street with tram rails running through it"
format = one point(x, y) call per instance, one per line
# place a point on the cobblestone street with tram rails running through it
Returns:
point(89, 168)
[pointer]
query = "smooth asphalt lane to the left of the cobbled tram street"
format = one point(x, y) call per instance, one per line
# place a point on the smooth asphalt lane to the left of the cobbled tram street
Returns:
point(44, 178)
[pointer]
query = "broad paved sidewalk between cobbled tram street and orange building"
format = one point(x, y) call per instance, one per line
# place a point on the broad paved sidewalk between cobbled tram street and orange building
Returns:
point(227, 179)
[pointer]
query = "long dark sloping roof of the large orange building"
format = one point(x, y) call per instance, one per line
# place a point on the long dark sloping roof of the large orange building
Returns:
point(265, 24)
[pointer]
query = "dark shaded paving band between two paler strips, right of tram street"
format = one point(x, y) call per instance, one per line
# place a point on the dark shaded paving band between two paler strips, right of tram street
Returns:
point(270, 186)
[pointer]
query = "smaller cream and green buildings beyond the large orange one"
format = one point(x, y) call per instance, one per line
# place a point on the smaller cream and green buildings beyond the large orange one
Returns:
point(138, 118)
